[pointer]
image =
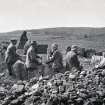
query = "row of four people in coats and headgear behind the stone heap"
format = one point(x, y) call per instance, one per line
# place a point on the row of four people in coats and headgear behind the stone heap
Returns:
point(54, 58)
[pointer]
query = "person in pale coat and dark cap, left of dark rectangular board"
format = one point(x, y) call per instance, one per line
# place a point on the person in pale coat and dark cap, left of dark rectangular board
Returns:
point(33, 66)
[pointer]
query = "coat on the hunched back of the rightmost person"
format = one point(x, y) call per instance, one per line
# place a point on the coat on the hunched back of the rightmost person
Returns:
point(72, 60)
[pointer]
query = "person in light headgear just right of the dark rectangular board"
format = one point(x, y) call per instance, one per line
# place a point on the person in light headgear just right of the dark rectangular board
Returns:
point(55, 59)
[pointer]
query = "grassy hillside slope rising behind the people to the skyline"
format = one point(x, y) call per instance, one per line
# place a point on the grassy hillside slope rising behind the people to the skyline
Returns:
point(64, 36)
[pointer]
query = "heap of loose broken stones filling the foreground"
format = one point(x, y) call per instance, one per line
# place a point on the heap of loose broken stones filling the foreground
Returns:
point(70, 88)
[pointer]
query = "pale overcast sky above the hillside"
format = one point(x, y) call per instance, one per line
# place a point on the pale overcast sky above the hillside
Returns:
point(35, 14)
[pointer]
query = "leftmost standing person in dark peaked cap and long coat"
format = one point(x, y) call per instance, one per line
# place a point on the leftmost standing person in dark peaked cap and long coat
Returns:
point(11, 56)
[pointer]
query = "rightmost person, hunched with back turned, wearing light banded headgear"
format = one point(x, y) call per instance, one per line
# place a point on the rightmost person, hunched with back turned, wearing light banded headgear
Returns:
point(72, 59)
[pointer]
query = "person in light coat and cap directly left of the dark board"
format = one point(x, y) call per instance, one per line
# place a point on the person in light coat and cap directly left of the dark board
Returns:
point(32, 59)
